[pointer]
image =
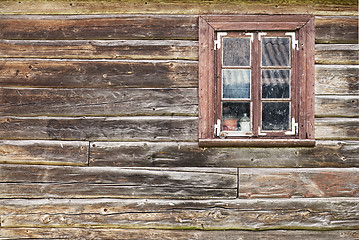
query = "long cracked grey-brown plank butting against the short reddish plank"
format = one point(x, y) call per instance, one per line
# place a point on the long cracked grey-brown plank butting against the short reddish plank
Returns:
point(29, 181)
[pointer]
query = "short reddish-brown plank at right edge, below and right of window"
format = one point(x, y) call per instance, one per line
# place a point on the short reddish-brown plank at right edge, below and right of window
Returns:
point(293, 182)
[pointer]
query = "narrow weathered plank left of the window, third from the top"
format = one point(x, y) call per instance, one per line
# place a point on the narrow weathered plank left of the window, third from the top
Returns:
point(92, 49)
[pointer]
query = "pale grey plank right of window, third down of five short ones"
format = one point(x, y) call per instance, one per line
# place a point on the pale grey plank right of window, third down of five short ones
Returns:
point(337, 79)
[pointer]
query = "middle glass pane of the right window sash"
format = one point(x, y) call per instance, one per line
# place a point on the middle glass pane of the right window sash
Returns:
point(275, 83)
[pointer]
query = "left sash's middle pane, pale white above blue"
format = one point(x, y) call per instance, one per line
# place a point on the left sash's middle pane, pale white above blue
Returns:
point(236, 83)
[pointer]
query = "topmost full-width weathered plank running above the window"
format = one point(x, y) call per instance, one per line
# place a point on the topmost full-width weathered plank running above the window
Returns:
point(327, 7)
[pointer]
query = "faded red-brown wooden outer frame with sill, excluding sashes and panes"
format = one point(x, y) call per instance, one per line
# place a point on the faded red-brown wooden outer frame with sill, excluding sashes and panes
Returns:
point(303, 26)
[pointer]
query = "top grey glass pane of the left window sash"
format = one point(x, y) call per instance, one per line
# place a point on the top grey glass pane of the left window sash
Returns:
point(236, 51)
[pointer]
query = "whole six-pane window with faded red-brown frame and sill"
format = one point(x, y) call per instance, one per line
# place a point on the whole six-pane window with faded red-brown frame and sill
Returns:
point(256, 80)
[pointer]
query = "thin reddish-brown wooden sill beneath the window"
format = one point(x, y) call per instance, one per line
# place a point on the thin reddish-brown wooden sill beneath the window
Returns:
point(256, 142)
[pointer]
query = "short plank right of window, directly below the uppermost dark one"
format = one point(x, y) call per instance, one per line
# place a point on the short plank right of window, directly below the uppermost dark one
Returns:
point(337, 54)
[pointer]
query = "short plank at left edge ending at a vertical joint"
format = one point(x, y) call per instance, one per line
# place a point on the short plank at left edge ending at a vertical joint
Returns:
point(44, 152)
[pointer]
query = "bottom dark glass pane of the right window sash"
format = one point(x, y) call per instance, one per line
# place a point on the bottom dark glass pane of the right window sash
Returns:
point(275, 116)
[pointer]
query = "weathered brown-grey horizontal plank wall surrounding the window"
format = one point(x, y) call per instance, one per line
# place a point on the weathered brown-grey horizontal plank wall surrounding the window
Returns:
point(98, 128)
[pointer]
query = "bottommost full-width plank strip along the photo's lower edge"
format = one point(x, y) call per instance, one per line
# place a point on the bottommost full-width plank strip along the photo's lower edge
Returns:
point(157, 234)
